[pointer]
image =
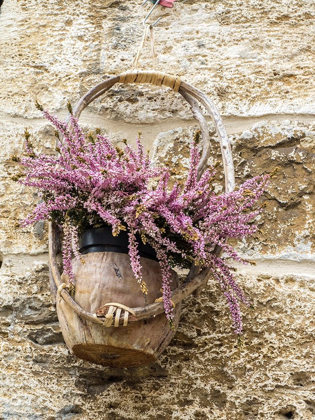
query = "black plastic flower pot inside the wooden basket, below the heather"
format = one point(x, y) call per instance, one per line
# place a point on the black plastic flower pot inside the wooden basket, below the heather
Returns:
point(101, 240)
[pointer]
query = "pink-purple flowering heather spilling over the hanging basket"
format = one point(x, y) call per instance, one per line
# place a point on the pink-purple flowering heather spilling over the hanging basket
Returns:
point(91, 182)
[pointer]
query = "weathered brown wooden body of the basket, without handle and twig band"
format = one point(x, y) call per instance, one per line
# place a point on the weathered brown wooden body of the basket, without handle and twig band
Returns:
point(108, 277)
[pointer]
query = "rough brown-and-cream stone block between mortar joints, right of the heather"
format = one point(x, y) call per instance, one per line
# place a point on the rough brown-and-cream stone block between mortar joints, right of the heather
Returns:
point(286, 150)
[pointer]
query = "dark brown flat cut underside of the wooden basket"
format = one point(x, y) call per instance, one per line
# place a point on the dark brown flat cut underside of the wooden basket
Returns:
point(115, 357)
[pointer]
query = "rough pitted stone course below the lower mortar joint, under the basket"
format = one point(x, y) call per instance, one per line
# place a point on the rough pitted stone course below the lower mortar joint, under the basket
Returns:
point(204, 373)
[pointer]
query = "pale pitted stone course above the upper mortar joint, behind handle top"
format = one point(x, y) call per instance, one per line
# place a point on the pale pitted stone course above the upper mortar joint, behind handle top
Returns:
point(256, 59)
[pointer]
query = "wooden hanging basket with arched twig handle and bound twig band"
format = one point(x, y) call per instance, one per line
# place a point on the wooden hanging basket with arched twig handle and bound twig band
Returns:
point(108, 321)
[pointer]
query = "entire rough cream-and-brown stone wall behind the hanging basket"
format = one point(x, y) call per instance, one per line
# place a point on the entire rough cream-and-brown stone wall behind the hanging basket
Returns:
point(256, 60)
